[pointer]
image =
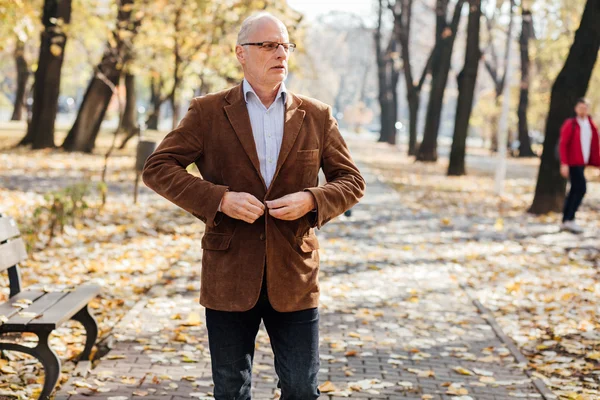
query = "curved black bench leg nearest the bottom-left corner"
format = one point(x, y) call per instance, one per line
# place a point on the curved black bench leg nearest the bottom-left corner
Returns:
point(47, 357)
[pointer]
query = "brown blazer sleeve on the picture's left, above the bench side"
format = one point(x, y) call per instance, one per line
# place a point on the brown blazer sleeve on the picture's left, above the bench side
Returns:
point(165, 170)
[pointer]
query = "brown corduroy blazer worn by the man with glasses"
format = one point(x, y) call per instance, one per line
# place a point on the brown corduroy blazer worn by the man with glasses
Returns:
point(216, 135)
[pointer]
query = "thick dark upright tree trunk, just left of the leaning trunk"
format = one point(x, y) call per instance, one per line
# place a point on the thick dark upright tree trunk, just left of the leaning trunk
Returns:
point(40, 132)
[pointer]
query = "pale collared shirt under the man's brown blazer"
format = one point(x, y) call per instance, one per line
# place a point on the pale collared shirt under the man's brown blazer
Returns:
point(267, 128)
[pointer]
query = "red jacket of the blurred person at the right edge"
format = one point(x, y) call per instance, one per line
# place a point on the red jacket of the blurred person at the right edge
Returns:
point(570, 144)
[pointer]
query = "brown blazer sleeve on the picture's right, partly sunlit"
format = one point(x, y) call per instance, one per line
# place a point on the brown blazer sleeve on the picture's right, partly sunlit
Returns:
point(345, 185)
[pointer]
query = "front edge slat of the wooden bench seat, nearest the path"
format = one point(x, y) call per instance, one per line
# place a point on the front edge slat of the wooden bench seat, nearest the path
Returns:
point(66, 307)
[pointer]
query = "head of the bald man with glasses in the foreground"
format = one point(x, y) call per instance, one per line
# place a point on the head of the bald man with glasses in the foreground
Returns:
point(261, 66)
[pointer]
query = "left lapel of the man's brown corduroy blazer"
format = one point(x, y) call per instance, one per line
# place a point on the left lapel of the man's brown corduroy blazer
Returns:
point(237, 113)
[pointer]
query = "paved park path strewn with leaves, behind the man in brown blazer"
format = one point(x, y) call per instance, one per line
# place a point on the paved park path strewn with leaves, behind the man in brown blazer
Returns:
point(395, 324)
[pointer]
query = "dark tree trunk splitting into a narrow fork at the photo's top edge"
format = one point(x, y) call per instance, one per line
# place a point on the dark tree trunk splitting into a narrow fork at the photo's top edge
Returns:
point(446, 33)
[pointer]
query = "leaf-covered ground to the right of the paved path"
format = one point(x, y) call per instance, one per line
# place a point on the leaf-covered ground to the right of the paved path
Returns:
point(542, 285)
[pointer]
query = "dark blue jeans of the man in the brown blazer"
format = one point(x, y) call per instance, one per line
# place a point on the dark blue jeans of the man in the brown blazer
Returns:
point(294, 340)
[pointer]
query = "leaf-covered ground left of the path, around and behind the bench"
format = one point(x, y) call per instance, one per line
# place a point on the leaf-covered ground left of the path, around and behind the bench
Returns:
point(125, 248)
